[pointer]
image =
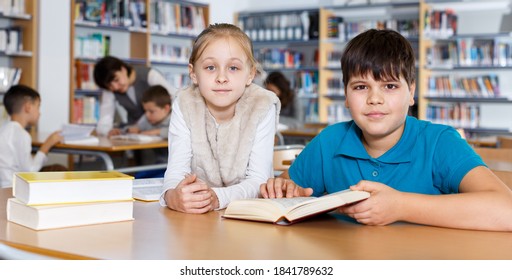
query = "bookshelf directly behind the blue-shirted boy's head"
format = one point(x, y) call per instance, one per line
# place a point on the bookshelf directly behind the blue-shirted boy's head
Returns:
point(338, 25)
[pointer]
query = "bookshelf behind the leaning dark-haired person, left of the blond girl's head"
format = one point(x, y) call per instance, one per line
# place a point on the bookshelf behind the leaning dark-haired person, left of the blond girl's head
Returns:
point(156, 33)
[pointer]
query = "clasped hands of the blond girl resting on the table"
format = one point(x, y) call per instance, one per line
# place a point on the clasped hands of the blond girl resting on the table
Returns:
point(192, 196)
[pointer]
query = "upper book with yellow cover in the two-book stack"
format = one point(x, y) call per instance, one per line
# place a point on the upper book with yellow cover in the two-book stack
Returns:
point(71, 186)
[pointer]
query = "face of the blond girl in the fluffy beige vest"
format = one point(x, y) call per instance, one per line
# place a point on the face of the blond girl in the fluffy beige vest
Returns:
point(222, 73)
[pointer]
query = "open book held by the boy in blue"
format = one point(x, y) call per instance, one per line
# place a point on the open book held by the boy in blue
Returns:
point(285, 211)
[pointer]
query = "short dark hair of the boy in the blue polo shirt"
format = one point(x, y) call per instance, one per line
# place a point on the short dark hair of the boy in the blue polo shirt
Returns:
point(383, 53)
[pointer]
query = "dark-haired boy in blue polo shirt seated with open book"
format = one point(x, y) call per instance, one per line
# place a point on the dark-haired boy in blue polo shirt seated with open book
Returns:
point(405, 163)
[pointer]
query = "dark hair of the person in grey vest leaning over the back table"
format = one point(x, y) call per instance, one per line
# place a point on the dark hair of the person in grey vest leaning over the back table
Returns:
point(106, 68)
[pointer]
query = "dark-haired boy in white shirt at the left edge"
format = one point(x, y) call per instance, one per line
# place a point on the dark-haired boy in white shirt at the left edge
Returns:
point(22, 104)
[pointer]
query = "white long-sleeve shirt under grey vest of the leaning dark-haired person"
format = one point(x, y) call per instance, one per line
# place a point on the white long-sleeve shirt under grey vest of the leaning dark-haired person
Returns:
point(108, 101)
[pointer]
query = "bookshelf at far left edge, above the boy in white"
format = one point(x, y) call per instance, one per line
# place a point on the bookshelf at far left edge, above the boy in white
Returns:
point(18, 57)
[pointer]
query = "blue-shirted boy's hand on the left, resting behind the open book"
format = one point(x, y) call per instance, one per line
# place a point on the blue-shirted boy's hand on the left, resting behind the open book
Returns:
point(281, 187)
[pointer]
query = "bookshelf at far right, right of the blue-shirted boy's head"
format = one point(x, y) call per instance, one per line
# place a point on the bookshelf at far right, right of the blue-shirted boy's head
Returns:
point(466, 68)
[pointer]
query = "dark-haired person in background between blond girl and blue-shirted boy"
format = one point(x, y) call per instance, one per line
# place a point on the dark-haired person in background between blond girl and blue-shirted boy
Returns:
point(290, 116)
